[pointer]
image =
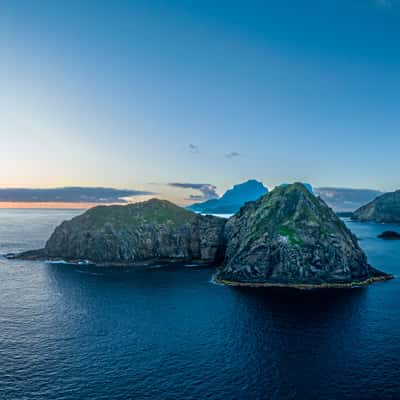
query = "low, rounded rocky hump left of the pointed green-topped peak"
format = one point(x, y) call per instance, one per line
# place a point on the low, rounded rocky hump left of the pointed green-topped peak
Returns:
point(155, 229)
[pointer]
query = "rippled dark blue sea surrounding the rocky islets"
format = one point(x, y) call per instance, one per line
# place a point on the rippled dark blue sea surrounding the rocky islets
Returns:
point(89, 333)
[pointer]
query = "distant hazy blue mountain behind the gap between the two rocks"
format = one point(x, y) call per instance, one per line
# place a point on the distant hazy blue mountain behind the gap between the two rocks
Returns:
point(233, 199)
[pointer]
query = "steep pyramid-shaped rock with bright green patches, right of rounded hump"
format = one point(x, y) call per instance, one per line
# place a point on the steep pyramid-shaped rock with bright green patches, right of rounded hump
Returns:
point(291, 237)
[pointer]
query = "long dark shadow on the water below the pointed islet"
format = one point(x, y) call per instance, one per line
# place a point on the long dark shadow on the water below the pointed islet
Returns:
point(281, 328)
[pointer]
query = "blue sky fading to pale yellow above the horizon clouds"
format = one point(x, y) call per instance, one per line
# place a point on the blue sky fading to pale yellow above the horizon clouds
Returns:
point(141, 94)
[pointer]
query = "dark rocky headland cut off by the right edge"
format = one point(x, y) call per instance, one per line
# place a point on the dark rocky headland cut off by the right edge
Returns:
point(385, 208)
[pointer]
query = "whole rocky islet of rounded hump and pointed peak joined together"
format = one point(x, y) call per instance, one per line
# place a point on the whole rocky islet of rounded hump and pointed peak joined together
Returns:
point(288, 237)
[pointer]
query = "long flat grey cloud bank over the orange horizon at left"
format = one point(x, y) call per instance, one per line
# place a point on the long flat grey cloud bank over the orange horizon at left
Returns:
point(69, 195)
